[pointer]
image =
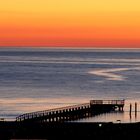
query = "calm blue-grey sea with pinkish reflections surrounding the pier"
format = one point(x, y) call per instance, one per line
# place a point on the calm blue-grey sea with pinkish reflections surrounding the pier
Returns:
point(38, 79)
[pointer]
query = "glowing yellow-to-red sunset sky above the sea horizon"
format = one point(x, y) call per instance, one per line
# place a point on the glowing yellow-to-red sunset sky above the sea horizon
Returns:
point(70, 23)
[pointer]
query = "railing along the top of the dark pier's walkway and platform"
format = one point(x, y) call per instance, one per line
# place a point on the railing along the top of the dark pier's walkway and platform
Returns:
point(61, 110)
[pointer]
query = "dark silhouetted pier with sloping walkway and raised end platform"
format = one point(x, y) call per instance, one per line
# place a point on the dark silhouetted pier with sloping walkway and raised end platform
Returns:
point(74, 112)
